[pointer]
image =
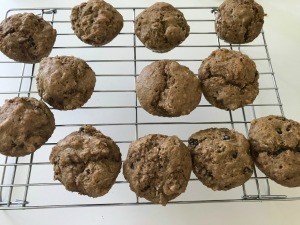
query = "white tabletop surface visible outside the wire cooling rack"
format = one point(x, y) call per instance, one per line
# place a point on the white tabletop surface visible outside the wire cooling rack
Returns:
point(283, 35)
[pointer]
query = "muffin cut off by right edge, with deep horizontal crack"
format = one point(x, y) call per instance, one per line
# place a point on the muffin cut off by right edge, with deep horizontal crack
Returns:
point(275, 147)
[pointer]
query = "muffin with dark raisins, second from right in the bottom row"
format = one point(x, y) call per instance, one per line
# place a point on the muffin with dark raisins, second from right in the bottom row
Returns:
point(221, 158)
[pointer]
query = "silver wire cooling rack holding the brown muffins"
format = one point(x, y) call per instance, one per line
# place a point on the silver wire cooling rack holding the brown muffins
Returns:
point(27, 182)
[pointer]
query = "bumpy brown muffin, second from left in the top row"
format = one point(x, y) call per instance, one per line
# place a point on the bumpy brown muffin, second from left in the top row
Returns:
point(96, 22)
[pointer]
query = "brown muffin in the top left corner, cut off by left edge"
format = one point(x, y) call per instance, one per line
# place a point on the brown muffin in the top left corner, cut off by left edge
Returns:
point(26, 37)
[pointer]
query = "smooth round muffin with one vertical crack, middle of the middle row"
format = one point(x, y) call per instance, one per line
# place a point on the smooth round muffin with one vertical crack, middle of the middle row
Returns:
point(166, 88)
